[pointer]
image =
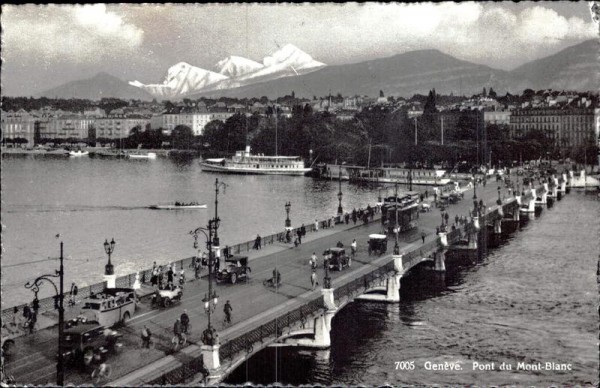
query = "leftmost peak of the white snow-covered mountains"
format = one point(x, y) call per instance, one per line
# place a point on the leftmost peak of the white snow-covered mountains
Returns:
point(182, 79)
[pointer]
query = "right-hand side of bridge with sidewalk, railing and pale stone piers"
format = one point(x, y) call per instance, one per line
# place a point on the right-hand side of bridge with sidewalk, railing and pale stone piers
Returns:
point(305, 320)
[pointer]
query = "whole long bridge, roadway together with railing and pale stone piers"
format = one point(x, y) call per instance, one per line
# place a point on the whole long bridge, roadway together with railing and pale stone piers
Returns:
point(295, 314)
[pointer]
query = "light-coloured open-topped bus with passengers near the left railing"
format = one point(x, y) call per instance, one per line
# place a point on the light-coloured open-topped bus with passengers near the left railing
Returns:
point(109, 307)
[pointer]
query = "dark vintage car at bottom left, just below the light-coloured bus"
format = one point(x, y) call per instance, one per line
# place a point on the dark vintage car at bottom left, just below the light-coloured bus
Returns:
point(81, 341)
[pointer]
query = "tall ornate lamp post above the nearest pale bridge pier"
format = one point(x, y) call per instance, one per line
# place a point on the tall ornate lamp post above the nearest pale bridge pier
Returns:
point(210, 300)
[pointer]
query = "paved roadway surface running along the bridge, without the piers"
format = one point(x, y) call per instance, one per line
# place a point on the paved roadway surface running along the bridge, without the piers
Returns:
point(34, 361)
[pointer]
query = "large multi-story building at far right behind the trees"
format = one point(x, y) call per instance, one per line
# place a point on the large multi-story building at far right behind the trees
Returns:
point(569, 125)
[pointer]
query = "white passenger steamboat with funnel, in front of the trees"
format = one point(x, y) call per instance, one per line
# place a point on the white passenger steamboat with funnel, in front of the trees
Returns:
point(245, 163)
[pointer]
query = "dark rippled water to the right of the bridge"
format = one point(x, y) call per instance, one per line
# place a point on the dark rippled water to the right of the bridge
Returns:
point(532, 300)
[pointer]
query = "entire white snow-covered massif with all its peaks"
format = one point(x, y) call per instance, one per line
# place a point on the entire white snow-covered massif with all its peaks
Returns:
point(233, 71)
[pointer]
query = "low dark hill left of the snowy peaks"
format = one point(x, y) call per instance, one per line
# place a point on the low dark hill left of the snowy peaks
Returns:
point(97, 87)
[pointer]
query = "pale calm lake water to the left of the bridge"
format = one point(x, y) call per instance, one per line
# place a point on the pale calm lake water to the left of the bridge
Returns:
point(87, 200)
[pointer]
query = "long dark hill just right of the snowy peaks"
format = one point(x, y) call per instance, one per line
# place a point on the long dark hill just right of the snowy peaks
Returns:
point(403, 74)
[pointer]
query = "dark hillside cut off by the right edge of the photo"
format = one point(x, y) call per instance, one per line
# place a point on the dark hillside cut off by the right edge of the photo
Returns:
point(574, 68)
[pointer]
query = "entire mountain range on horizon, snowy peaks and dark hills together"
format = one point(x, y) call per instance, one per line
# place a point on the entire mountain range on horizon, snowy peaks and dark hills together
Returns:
point(290, 69)
